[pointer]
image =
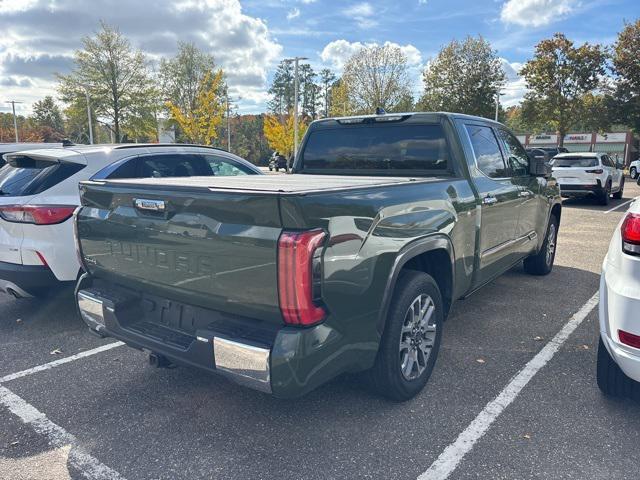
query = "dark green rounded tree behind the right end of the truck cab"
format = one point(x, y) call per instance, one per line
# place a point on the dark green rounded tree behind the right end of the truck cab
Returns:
point(464, 77)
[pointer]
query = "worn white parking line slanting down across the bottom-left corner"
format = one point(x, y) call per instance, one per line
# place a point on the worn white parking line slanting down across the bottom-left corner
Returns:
point(57, 437)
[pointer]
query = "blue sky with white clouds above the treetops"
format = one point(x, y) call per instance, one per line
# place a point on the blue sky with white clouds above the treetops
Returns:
point(249, 37)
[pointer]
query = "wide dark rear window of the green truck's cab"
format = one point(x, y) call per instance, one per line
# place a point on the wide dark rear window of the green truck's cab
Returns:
point(382, 149)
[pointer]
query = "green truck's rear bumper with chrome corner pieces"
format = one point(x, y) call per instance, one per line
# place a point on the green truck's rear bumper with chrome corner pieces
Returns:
point(287, 363)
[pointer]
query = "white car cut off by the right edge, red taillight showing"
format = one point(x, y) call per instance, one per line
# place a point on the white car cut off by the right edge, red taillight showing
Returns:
point(618, 368)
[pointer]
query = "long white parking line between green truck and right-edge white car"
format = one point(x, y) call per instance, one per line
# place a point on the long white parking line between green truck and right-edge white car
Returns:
point(449, 459)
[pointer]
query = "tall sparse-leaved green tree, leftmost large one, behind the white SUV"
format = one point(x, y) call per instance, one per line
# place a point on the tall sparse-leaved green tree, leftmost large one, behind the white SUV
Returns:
point(116, 77)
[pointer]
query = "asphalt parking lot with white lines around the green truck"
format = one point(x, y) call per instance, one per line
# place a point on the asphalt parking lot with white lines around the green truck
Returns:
point(106, 414)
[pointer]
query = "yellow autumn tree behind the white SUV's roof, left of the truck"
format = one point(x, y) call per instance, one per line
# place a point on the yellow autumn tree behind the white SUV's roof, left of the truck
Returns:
point(200, 124)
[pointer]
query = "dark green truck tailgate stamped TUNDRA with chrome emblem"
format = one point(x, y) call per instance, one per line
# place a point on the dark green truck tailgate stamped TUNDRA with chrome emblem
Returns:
point(212, 249)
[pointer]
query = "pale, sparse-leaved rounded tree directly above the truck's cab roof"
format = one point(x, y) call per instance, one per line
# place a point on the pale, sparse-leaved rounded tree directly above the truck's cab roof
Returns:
point(377, 76)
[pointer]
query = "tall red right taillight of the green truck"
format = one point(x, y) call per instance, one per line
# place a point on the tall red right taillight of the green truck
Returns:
point(300, 276)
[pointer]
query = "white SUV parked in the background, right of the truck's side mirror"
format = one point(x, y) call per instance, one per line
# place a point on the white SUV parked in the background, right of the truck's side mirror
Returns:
point(581, 174)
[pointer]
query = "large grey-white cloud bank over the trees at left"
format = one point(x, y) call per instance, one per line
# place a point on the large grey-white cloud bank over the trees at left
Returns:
point(37, 41)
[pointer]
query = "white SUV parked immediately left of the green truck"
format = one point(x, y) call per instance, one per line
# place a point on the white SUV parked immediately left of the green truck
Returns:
point(39, 192)
